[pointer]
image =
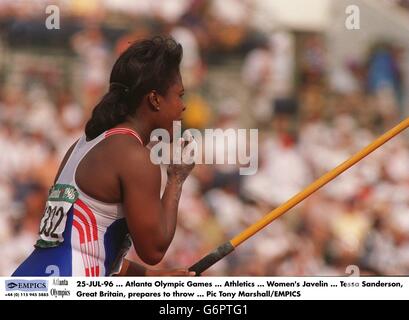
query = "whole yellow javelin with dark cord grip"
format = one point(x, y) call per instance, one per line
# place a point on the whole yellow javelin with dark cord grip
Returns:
point(229, 246)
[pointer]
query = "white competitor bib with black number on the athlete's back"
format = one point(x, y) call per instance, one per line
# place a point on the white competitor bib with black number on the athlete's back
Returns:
point(60, 200)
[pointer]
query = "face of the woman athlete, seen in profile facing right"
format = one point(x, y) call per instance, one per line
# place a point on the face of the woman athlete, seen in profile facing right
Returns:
point(172, 106)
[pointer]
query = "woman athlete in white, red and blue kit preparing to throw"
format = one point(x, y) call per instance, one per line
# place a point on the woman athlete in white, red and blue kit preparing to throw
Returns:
point(107, 191)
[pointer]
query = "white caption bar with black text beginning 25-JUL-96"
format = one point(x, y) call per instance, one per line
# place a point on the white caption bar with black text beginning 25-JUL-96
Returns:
point(205, 288)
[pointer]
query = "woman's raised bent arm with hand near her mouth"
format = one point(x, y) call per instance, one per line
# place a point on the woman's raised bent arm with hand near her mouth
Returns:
point(151, 220)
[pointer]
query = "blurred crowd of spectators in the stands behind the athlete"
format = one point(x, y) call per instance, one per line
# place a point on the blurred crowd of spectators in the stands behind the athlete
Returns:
point(316, 91)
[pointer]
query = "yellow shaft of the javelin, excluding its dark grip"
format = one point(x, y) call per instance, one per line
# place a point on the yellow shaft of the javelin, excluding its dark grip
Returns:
point(317, 184)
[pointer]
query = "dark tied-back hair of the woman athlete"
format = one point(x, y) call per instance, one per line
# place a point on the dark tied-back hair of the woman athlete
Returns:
point(150, 64)
